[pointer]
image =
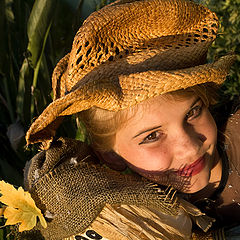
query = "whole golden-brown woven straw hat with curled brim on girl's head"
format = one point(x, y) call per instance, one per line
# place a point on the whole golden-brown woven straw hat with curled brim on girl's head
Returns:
point(128, 52)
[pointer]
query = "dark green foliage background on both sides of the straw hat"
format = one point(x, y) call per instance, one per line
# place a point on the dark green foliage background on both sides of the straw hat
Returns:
point(35, 35)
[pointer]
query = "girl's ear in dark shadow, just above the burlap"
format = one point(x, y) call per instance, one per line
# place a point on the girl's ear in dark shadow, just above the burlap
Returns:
point(112, 160)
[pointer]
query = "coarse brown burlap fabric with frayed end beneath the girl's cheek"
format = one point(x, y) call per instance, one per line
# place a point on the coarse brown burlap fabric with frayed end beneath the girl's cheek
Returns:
point(71, 189)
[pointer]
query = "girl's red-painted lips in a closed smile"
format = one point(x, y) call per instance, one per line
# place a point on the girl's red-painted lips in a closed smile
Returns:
point(192, 169)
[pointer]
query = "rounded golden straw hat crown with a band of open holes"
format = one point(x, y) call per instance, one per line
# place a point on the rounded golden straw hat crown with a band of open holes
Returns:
point(177, 32)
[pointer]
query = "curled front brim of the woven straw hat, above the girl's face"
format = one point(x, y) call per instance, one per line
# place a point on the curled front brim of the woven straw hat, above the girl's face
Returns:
point(117, 92)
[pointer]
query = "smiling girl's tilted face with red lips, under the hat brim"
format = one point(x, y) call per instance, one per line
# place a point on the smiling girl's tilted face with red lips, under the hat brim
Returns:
point(170, 142)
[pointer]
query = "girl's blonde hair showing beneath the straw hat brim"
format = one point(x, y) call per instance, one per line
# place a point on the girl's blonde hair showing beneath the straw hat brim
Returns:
point(102, 125)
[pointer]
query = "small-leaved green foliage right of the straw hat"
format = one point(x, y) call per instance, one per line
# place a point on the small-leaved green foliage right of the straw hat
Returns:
point(228, 40)
